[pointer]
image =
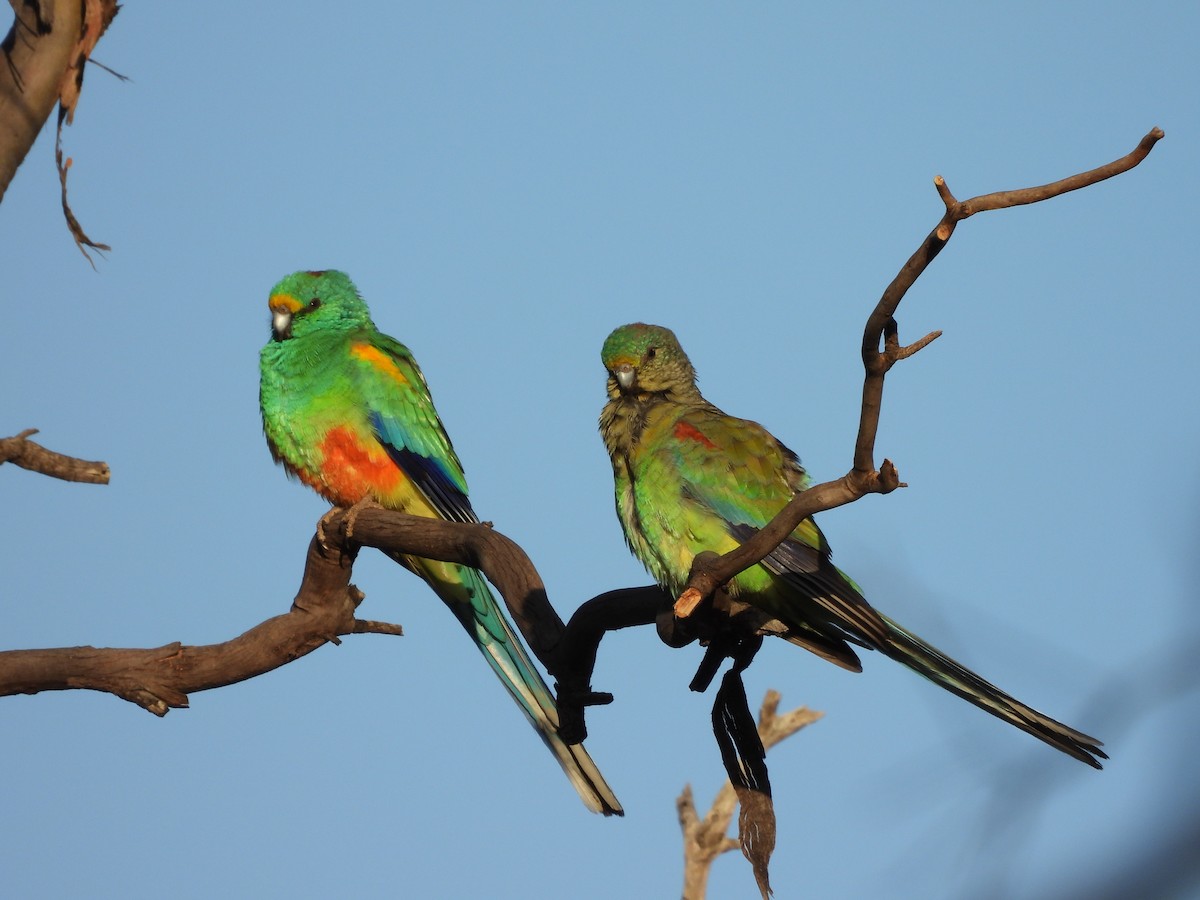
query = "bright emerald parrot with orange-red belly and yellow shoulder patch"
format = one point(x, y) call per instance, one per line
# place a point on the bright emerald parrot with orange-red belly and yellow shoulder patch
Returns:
point(346, 411)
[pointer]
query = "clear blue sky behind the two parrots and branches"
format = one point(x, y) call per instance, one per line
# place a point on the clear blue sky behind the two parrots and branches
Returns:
point(507, 184)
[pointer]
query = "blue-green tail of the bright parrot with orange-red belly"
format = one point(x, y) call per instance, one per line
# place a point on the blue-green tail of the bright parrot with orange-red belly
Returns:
point(473, 604)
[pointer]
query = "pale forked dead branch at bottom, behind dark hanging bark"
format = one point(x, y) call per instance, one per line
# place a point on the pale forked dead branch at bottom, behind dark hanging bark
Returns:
point(706, 839)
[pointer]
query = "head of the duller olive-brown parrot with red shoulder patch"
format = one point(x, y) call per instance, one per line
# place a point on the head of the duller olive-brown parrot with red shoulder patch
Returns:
point(646, 359)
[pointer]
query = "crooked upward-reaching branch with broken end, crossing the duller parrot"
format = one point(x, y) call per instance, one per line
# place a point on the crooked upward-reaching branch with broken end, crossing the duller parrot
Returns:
point(707, 574)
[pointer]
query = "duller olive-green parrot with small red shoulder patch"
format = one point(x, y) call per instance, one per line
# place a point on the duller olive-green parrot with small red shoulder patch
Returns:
point(691, 478)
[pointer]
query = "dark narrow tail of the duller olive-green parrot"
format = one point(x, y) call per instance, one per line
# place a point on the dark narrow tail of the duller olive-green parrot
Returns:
point(937, 667)
